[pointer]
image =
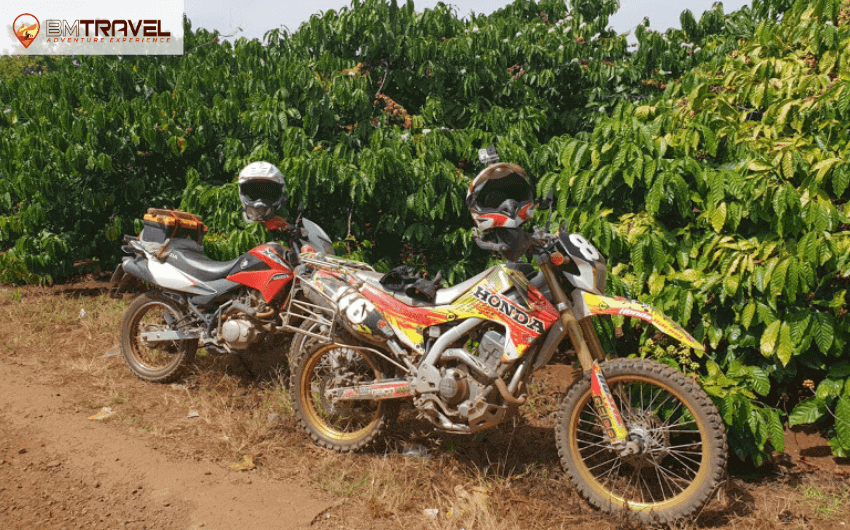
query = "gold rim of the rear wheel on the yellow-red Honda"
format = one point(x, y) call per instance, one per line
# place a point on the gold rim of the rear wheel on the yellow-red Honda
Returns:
point(309, 398)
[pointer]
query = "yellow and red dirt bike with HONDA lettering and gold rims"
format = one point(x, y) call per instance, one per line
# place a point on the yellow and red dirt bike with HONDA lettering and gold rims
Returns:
point(633, 435)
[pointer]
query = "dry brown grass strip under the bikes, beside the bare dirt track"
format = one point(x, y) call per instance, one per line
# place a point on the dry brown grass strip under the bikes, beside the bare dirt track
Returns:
point(505, 478)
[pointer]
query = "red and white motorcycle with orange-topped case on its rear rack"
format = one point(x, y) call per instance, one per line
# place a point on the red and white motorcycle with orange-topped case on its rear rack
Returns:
point(224, 306)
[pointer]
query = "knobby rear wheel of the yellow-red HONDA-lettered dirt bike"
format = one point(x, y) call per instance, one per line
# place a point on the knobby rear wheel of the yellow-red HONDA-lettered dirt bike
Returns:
point(343, 426)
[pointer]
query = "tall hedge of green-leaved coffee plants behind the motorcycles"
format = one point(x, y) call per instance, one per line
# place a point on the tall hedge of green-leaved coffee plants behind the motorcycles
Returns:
point(708, 163)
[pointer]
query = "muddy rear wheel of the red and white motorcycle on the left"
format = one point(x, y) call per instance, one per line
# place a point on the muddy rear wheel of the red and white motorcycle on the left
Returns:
point(158, 363)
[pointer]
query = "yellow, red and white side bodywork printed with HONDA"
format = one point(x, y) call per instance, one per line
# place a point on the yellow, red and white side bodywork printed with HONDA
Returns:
point(484, 300)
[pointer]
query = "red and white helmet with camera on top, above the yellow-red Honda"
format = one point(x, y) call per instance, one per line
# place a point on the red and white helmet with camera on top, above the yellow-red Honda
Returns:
point(501, 196)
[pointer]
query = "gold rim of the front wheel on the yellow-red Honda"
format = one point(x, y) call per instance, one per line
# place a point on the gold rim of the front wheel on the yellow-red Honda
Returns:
point(621, 501)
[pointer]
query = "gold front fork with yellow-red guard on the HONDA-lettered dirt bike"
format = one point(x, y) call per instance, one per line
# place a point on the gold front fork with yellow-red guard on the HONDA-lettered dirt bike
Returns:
point(590, 354)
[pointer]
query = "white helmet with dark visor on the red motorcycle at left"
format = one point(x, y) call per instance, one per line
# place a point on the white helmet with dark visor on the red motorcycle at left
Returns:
point(261, 191)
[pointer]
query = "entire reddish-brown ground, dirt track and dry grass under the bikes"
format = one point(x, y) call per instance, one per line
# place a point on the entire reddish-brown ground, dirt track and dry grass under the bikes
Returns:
point(220, 450)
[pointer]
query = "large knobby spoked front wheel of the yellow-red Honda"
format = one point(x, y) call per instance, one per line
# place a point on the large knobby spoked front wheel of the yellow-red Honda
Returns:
point(685, 460)
